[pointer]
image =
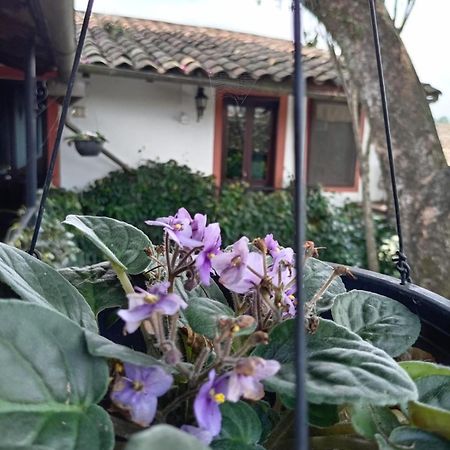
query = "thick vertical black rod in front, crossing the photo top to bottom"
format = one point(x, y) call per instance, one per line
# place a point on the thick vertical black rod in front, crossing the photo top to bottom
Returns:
point(301, 404)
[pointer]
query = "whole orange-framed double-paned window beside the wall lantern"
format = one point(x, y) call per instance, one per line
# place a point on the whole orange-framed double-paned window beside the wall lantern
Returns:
point(249, 145)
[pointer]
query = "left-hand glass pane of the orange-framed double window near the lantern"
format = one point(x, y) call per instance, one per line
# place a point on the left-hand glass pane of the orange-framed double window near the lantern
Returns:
point(234, 139)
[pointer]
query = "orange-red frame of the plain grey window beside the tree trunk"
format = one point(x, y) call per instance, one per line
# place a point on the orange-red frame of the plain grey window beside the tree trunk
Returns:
point(309, 119)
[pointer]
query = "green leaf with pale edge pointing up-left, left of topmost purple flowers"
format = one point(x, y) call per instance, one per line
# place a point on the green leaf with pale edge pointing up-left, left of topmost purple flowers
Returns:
point(121, 243)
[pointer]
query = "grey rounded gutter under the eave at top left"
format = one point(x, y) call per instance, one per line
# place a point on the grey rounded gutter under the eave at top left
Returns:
point(58, 16)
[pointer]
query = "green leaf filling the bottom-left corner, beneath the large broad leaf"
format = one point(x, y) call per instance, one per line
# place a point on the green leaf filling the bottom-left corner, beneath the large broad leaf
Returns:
point(58, 430)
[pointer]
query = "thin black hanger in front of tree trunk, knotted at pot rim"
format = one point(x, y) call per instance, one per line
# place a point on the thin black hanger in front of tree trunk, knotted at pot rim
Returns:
point(400, 258)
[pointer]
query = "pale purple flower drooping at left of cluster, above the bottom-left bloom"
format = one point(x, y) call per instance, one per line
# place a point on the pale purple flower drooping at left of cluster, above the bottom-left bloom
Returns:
point(143, 304)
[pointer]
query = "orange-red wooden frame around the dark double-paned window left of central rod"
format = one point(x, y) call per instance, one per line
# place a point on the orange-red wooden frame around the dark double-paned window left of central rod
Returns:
point(279, 130)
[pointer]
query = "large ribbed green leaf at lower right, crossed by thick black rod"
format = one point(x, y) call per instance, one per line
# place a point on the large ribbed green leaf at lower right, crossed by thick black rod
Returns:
point(342, 368)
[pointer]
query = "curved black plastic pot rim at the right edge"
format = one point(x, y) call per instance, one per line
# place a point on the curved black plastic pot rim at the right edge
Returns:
point(433, 310)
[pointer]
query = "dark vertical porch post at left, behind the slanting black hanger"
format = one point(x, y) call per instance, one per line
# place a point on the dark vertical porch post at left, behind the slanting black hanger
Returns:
point(30, 124)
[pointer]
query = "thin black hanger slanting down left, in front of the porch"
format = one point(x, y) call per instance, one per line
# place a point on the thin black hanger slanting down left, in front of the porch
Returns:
point(62, 120)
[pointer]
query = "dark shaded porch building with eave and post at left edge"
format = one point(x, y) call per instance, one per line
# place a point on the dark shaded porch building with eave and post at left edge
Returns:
point(36, 49)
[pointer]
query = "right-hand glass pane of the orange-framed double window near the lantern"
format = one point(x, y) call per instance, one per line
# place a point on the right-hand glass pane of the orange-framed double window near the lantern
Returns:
point(262, 143)
